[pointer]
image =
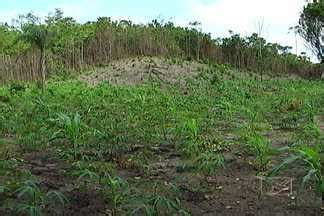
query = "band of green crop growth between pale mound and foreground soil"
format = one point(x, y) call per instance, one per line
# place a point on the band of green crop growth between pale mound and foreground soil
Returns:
point(122, 126)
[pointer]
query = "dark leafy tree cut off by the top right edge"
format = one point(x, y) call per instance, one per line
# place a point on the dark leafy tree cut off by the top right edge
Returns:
point(310, 27)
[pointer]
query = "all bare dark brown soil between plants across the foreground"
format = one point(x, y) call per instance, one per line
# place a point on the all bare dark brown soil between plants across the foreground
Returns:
point(233, 190)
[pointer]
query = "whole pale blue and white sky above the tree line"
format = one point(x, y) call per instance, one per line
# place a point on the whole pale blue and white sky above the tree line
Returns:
point(216, 16)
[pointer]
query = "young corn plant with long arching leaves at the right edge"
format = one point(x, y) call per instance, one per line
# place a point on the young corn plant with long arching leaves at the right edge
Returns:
point(312, 159)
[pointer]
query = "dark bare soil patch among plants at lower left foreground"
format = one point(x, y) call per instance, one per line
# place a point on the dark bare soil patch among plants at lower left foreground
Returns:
point(51, 172)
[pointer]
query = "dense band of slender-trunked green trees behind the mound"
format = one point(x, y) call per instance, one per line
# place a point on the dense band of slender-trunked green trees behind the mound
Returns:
point(32, 48)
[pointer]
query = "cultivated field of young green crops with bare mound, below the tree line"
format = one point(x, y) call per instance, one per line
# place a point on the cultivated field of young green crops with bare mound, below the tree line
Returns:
point(193, 142)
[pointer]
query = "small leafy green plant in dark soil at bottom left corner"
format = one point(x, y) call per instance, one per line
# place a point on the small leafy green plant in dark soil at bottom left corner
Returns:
point(34, 201)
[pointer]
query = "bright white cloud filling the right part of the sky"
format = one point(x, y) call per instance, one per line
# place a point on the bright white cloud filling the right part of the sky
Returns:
point(244, 17)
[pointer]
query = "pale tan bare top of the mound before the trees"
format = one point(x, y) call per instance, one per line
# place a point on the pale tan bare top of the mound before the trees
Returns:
point(139, 70)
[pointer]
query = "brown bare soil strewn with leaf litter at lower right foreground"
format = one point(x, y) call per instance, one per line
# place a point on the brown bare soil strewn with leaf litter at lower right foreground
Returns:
point(233, 190)
